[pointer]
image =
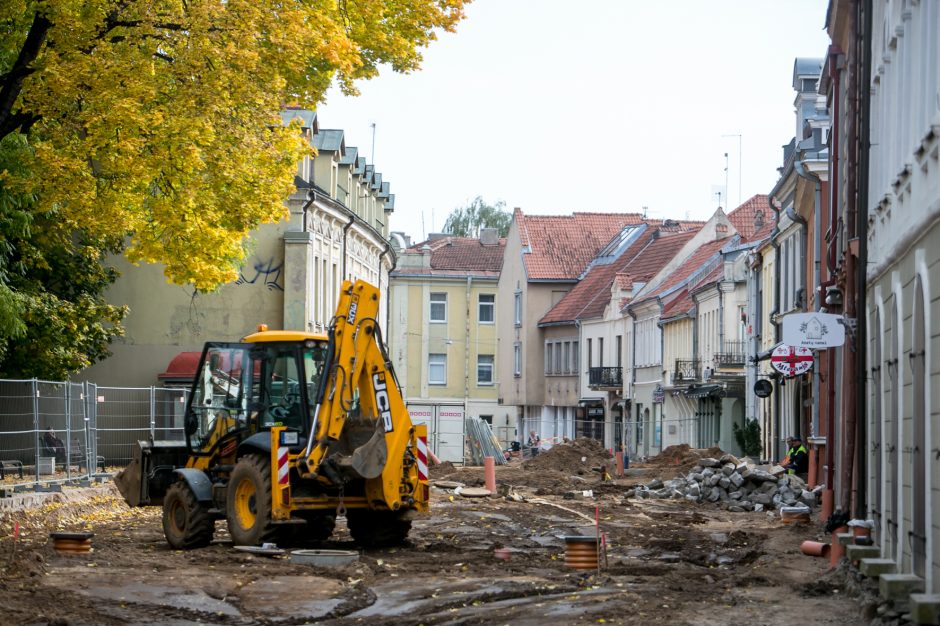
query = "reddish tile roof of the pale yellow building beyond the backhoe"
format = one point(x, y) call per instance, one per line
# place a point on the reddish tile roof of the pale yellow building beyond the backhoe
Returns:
point(458, 256)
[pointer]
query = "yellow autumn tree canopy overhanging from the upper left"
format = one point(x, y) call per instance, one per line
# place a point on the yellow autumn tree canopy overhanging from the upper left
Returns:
point(158, 121)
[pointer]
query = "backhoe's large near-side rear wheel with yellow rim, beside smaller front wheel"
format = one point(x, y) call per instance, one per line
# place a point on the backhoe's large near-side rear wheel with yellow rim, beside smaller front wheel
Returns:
point(248, 502)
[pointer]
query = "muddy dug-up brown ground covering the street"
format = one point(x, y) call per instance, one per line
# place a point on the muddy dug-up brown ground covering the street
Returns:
point(497, 560)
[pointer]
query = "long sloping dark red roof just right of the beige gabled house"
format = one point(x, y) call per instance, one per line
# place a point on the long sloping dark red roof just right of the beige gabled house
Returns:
point(639, 262)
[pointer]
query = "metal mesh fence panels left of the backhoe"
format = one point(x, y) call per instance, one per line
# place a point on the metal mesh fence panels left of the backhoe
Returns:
point(58, 431)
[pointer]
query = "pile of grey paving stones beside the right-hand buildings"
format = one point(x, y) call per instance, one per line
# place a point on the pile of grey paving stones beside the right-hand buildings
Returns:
point(735, 485)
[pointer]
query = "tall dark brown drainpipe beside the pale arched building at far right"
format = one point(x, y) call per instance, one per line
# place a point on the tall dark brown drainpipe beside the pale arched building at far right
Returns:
point(861, 232)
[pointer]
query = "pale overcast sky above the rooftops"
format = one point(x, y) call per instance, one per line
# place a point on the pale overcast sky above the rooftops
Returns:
point(599, 105)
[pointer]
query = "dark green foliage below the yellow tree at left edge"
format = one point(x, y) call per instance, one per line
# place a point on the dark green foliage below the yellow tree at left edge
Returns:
point(53, 316)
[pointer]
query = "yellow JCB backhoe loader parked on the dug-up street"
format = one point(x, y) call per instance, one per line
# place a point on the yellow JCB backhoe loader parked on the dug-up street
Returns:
point(286, 430)
